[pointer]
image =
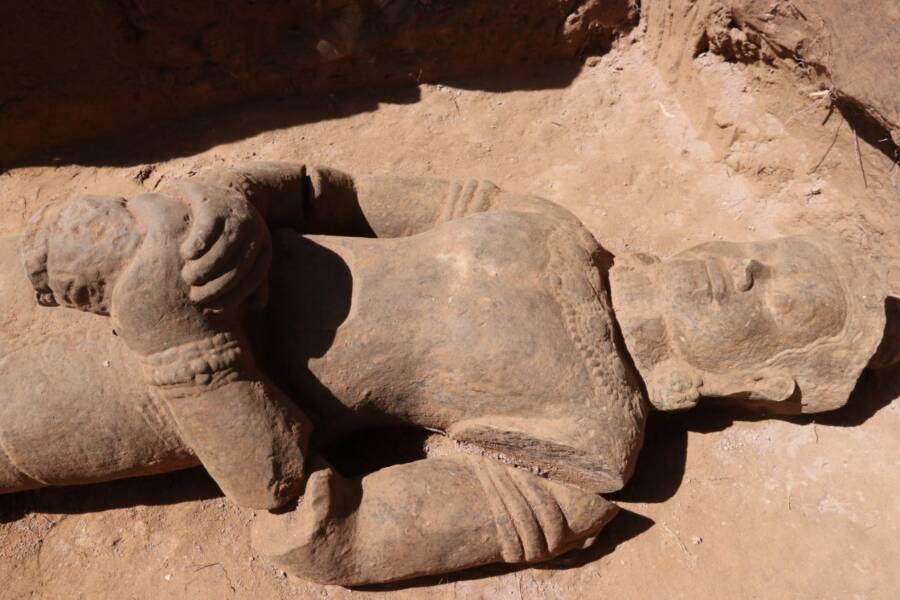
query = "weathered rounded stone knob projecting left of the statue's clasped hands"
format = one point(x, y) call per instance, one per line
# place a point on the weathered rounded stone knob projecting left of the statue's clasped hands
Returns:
point(74, 250)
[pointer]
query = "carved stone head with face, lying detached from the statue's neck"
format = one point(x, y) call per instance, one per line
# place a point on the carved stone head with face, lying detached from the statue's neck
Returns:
point(792, 321)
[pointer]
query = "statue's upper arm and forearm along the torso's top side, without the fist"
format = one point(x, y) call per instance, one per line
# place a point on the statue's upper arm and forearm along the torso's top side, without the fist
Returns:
point(325, 201)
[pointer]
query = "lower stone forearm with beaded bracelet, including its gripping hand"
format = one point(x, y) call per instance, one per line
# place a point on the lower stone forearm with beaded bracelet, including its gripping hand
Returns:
point(198, 363)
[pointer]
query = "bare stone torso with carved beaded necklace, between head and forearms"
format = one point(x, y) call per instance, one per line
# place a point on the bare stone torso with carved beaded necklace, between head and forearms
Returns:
point(495, 328)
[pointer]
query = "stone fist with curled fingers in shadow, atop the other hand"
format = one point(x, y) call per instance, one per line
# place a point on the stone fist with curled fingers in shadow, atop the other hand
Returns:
point(227, 248)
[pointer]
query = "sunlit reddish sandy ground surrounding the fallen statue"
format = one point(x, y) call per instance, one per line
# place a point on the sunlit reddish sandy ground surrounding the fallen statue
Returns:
point(722, 506)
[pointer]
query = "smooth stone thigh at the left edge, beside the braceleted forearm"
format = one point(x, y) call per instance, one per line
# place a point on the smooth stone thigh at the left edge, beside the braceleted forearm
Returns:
point(74, 410)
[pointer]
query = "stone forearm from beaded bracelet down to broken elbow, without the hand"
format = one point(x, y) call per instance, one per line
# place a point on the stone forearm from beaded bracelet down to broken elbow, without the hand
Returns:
point(250, 437)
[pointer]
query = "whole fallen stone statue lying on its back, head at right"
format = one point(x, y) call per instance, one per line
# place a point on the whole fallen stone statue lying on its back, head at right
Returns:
point(483, 316)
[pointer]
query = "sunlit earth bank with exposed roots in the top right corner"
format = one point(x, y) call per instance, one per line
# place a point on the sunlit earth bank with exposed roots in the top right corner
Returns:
point(844, 48)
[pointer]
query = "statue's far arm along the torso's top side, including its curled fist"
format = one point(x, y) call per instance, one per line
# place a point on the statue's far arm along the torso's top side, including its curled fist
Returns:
point(229, 206)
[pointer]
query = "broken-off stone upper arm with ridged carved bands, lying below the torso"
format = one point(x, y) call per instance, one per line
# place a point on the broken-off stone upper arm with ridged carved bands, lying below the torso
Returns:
point(431, 516)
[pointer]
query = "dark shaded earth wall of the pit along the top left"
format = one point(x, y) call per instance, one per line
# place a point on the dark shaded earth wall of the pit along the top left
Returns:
point(73, 71)
